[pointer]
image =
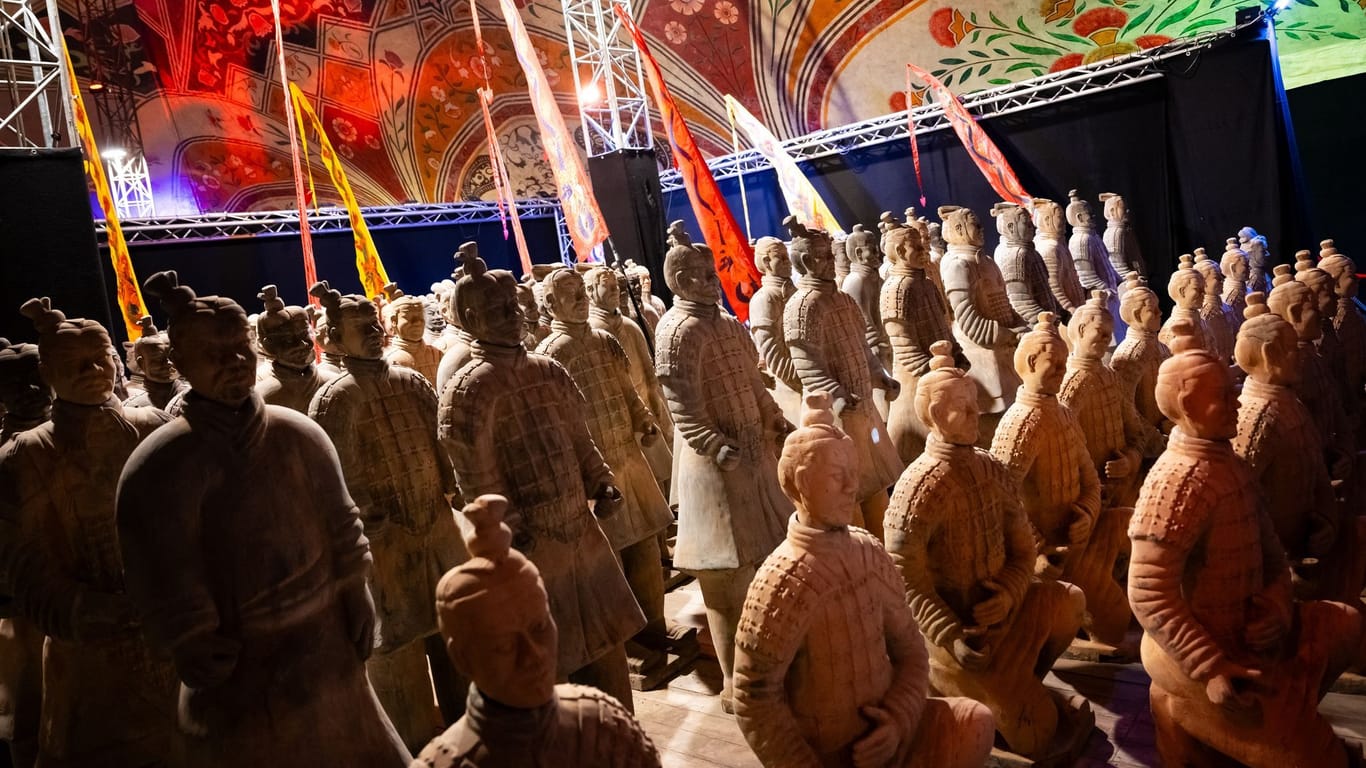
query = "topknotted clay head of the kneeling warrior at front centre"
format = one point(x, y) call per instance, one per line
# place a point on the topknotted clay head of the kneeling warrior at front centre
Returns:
point(819, 469)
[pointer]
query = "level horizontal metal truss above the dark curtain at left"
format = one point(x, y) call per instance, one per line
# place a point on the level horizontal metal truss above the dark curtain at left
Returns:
point(333, 219)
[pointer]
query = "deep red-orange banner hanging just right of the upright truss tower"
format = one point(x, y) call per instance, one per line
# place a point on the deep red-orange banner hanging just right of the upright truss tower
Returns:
point(730, 248)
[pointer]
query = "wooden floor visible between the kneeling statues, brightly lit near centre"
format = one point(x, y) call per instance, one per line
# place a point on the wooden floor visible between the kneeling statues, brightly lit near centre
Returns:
point(692, 732)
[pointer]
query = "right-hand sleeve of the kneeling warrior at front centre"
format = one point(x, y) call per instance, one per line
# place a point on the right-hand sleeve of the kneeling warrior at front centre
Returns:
point(906, 648)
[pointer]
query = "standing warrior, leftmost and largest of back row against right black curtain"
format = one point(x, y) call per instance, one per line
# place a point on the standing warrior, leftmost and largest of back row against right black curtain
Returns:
point(984, 322)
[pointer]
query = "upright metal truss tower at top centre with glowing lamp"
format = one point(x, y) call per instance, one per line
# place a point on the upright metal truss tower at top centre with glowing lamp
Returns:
point(607, 77)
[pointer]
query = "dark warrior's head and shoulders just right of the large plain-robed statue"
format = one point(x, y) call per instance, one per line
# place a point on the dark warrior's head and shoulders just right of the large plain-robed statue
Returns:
point(286, 334)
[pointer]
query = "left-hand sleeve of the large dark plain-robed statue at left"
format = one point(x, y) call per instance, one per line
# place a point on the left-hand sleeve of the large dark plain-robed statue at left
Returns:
point(162, 538)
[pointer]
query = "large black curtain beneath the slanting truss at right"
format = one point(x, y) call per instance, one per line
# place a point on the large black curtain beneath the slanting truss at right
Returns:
point(1199, 154)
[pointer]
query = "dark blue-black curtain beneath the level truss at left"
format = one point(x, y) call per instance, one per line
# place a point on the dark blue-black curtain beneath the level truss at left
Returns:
point(413, 256)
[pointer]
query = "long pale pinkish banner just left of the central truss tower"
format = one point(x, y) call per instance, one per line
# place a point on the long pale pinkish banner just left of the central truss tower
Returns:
point(588, 229)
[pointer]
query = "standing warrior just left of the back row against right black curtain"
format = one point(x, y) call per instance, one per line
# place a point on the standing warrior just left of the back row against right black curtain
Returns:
point(916, 316)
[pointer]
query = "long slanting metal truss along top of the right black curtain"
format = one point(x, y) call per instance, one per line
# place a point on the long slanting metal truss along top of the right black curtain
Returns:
point(1044, 91)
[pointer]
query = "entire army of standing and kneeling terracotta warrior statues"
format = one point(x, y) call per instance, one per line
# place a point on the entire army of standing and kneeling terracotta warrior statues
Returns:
point(279, 573)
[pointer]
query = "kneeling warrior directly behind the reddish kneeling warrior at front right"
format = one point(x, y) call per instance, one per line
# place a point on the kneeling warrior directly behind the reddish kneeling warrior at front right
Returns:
point(1278, 439)
